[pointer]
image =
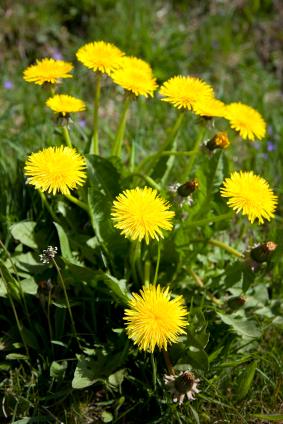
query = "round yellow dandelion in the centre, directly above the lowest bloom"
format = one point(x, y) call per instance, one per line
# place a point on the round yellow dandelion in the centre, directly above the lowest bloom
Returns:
point(141, 214)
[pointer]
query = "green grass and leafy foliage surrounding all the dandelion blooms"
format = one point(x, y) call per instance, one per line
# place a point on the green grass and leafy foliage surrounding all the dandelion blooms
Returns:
point(49, 373)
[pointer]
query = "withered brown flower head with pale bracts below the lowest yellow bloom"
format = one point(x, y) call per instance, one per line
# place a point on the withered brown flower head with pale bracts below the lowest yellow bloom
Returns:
point(183, 384)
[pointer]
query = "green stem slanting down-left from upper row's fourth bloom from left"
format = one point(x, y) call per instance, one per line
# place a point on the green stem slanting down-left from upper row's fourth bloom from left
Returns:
point(149, 163)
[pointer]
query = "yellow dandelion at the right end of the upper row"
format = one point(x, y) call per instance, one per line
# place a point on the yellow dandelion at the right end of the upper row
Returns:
point(246, 121)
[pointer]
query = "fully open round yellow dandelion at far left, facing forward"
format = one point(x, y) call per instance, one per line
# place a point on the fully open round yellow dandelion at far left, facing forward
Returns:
point(56, 169)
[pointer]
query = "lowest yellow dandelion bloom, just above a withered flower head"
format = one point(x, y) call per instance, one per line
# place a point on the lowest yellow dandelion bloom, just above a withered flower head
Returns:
point(154, 319)
